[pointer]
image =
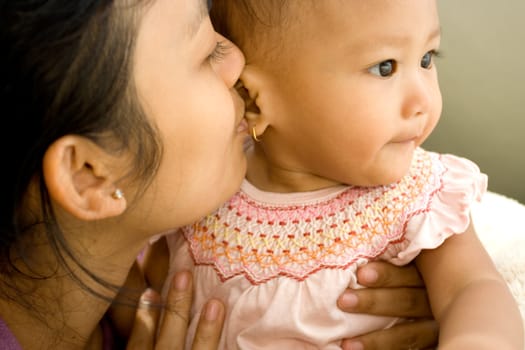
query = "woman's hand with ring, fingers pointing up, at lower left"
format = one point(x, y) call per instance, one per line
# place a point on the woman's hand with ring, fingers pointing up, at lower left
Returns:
point(174, 325)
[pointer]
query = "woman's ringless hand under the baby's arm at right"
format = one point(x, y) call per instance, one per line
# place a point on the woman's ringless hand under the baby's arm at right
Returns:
point(392, 291)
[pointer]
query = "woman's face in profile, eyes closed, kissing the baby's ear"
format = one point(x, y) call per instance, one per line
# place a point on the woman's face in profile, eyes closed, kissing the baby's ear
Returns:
point(184, 72)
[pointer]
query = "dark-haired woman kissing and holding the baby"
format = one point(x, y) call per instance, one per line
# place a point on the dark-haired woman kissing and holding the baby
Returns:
point(118, 113)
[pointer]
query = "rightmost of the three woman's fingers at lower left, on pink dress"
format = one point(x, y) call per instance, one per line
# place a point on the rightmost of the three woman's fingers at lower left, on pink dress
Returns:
point(208, 332)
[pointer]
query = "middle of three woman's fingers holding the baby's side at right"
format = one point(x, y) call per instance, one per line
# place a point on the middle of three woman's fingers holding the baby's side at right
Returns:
point(398, 302)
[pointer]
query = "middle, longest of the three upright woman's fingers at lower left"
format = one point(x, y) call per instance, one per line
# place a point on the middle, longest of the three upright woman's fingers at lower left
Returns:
point(174, 324)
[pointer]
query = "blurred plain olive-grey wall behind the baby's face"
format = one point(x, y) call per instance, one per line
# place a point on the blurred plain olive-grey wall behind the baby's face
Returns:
point(482, 78)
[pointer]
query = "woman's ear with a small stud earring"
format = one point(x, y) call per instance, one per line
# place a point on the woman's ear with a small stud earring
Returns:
point(78, 179)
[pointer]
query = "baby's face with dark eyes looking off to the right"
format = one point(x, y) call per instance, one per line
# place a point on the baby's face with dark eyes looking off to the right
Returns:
point(355, 89)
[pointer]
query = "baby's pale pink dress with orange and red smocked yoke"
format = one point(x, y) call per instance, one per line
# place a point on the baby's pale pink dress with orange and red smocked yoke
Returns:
point(279, 261)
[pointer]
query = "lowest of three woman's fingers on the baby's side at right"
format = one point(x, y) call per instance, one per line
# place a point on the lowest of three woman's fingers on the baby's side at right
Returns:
point(421, 334)
